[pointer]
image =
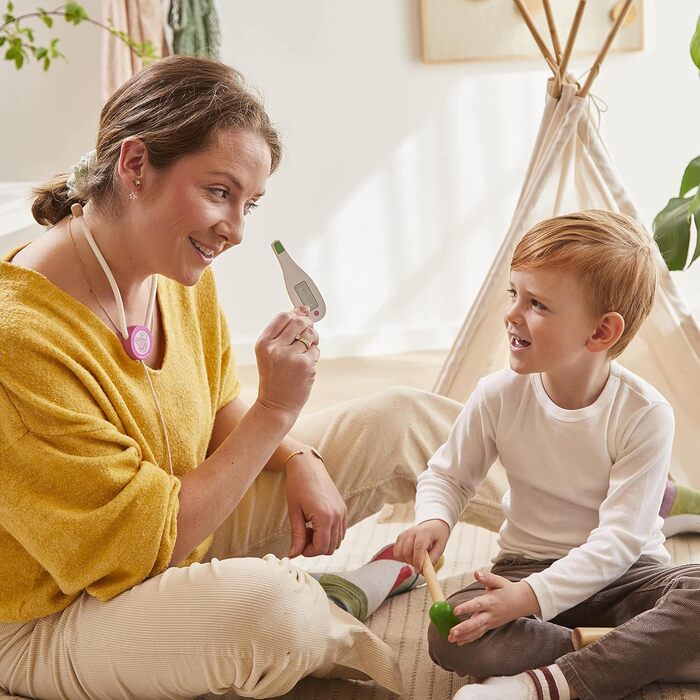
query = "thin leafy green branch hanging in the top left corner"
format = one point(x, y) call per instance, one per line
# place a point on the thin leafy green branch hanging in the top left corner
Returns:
point(21, 46)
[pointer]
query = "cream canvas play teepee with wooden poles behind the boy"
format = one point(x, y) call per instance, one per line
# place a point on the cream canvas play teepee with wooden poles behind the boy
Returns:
point(571, 169)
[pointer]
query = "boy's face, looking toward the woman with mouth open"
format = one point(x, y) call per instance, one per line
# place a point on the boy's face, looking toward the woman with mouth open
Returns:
point(548, 322)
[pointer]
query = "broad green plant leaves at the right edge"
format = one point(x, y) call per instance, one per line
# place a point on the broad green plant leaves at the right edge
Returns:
point(672, 225)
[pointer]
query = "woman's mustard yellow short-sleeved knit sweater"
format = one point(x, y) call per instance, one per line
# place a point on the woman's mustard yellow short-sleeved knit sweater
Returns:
point(86, 499)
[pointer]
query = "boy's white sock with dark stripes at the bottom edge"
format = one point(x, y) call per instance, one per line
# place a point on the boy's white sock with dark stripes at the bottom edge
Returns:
point(545, 683)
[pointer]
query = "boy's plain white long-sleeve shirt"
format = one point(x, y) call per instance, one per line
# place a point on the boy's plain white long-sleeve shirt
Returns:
point(585, 484)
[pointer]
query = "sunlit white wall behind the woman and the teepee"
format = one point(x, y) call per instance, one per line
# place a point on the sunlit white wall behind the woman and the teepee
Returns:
point(399, 178)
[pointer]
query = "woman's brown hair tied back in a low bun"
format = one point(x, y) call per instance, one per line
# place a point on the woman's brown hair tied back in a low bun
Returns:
point(176, 106)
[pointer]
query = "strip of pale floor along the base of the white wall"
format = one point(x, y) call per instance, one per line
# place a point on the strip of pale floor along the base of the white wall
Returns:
point(349, 377)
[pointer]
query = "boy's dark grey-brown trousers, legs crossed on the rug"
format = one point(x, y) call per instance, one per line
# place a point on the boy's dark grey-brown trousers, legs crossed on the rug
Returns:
point(655, 611)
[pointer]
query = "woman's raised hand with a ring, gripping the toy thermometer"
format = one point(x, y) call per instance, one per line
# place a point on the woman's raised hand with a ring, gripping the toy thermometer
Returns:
point(286, 366)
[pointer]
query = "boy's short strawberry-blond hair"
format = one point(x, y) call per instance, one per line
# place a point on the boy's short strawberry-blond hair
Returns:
point(610, 252)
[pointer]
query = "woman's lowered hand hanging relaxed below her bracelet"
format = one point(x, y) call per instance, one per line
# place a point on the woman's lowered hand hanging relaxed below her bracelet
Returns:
point(313, 498)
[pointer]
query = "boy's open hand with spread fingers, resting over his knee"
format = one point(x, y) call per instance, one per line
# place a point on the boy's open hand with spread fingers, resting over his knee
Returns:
point(503, 601)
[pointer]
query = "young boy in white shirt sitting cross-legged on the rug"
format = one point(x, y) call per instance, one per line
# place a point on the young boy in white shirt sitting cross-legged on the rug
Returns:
point(586, 446)
